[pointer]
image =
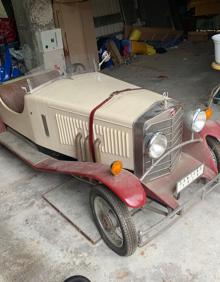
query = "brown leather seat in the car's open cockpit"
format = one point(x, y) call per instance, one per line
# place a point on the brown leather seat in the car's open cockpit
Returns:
point(12, 93)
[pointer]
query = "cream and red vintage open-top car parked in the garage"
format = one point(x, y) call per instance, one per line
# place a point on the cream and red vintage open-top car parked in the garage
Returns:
point(133, 143)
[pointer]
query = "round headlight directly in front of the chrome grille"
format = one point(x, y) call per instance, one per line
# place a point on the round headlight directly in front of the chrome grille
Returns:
point(157, 145)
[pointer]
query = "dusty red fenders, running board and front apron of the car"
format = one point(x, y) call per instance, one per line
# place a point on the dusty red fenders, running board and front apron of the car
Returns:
point(127, 186)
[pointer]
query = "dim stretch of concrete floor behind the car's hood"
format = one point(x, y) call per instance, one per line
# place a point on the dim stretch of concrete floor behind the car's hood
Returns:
point(185, 72)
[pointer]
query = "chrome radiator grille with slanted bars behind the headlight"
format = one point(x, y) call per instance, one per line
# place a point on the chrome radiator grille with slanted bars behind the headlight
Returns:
point(172, 127)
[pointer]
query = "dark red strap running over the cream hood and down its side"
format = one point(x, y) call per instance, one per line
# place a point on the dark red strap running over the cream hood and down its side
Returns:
point(92, 114)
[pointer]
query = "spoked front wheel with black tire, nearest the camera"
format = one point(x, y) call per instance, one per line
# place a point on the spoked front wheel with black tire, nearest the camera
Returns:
point(119, 211)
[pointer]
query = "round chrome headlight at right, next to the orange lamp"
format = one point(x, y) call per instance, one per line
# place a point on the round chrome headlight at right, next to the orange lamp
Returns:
point(196, 120)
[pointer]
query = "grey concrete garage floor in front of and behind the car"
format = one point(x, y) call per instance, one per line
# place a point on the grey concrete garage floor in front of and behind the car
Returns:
point(38, 244)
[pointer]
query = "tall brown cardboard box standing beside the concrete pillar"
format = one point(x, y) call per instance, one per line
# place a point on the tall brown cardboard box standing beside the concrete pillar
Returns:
point(78, 32)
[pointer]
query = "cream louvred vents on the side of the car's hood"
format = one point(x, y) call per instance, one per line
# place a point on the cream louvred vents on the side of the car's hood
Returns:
point(113, 141)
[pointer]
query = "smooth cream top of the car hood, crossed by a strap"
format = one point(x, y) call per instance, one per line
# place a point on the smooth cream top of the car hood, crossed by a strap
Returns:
point(82, 93)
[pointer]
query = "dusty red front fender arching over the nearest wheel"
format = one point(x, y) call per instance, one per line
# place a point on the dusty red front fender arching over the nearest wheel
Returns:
point(125, 185)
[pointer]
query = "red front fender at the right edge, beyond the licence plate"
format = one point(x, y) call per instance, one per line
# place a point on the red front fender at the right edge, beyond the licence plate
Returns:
point(201, 150)
